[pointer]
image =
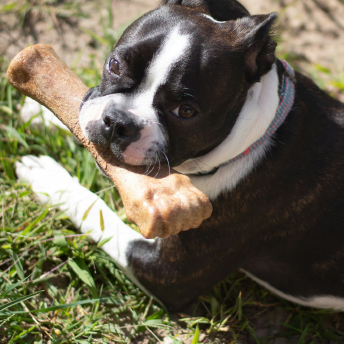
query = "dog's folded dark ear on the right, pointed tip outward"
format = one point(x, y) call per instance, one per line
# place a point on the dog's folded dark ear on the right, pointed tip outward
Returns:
point(254, 40)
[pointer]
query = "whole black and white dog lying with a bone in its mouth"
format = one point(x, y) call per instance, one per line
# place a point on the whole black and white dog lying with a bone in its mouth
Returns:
point(197, 82)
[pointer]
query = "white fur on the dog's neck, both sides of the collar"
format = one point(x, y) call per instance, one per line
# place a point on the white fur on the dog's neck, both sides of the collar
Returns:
point(253, 122)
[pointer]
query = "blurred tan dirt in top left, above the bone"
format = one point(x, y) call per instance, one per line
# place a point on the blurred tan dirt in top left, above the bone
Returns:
point(70, 36)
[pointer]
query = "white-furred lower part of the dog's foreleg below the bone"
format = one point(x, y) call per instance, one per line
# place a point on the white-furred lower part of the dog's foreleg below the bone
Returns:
point(54, 185)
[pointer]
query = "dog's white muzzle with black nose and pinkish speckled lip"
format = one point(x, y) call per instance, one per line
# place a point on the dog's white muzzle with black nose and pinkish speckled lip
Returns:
point(134, 138)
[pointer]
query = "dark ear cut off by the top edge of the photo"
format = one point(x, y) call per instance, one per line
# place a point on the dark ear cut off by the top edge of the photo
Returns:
point(221, 10)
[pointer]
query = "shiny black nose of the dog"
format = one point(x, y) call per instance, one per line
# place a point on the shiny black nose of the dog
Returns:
point(119, 126)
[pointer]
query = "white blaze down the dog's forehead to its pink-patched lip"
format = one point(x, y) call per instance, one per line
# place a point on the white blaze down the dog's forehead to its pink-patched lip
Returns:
point(158, 72)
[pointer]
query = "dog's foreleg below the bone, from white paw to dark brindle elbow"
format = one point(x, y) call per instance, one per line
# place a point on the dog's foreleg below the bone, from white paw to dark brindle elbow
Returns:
point(174, 269)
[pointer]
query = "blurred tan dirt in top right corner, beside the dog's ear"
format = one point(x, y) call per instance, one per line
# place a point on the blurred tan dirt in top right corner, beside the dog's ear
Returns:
point(312, 29)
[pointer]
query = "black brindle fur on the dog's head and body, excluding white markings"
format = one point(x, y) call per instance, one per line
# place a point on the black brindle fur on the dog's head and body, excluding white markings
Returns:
point(283, 222)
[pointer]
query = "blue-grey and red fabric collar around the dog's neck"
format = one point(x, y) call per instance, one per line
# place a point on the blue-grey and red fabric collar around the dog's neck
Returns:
point(286, 102)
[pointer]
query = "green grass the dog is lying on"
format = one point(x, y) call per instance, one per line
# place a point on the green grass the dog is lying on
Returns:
point(57, 287)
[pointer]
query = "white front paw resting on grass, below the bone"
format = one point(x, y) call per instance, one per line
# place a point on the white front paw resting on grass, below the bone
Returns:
point(47, 178)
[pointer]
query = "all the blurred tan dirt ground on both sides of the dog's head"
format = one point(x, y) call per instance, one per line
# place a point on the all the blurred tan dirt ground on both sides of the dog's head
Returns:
point(312, 30)
